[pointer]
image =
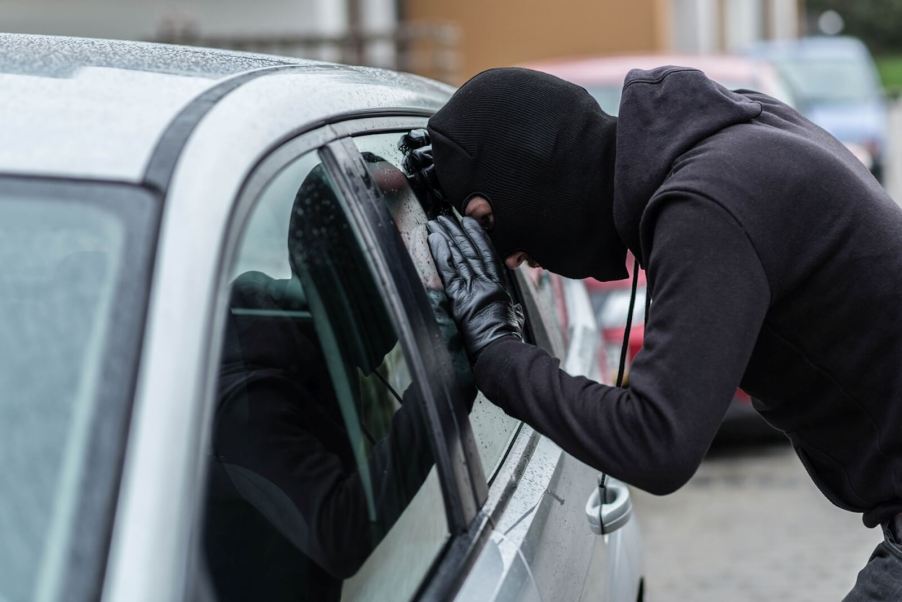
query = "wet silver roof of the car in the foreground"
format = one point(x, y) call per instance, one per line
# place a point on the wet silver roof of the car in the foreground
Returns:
point(76, 107)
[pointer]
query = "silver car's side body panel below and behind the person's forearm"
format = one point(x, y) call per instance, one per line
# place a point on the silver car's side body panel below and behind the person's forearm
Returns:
point(541, 547)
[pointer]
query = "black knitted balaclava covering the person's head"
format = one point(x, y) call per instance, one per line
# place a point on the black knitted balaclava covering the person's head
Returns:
point(541, 150)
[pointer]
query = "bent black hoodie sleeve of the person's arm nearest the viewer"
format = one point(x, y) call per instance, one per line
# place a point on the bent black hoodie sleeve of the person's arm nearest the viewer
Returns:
point(710, 297)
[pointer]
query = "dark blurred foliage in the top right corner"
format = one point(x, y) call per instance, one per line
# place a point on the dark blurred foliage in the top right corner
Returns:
point(877, 22)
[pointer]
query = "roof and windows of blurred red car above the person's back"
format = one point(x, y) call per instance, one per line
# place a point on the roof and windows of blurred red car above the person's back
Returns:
point(603, 76)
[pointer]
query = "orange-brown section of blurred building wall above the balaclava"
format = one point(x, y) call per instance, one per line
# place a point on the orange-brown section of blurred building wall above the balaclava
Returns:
point(507, 32)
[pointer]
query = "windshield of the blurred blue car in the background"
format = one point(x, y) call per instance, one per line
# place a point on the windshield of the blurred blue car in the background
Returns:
point(826, 79)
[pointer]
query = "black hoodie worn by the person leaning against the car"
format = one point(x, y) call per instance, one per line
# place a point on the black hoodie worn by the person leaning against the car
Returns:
point(774, 262)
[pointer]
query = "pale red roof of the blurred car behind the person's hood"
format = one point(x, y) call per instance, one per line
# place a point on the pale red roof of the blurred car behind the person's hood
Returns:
point(613, 69)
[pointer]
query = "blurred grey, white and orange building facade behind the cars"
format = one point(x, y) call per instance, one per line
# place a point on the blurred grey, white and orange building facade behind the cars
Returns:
point(446, 39)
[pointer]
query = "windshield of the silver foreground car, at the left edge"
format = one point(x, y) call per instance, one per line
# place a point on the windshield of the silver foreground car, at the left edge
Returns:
point(70, 299)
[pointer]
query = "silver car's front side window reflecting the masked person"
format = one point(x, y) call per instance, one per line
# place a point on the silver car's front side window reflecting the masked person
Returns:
point(322, 483)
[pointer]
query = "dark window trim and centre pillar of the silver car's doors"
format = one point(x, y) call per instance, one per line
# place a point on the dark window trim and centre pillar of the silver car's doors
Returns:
point(472, 505)
